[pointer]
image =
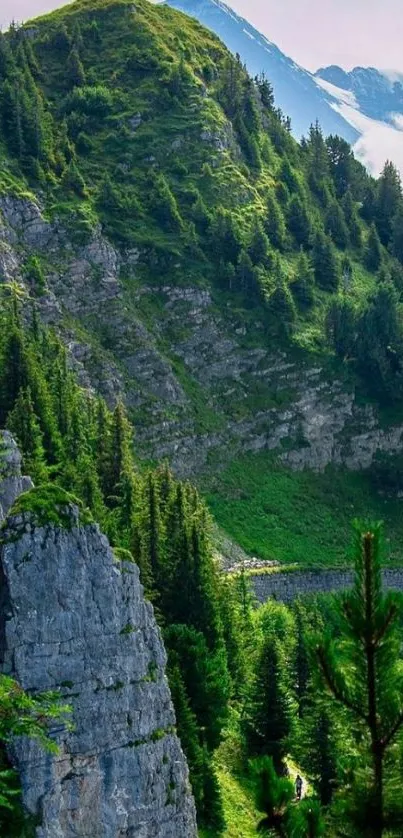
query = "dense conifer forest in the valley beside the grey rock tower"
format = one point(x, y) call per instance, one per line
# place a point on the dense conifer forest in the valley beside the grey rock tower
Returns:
point(317, 685)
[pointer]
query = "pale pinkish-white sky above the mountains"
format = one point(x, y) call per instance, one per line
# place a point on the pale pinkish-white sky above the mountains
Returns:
point(313, 32)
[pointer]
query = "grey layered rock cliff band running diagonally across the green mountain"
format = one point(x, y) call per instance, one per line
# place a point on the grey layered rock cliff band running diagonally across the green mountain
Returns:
point(199, 387)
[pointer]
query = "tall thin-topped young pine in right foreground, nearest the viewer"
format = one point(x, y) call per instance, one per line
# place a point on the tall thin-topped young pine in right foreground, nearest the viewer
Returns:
point(365, 678)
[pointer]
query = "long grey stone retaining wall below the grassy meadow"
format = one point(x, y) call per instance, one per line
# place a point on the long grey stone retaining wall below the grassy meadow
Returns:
point(289, 585)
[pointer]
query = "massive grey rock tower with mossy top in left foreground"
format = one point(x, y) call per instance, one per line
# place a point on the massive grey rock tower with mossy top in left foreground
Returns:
point(73, 618)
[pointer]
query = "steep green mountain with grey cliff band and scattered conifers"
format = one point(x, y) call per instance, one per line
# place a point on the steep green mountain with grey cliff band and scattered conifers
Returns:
point(241, 291)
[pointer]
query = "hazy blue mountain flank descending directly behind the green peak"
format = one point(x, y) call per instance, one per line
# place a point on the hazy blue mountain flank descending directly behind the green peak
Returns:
point(295, 90)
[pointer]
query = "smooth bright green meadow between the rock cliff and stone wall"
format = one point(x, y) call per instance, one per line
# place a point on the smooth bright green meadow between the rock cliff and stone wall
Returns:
point(274, 513)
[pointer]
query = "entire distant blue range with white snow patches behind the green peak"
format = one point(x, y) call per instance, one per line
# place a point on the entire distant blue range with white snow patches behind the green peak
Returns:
point(364, 106)
